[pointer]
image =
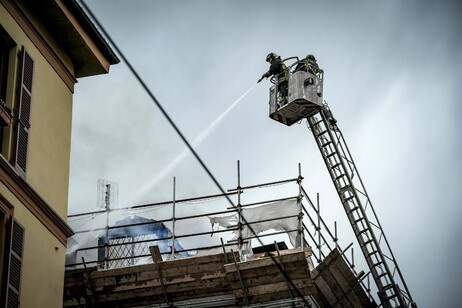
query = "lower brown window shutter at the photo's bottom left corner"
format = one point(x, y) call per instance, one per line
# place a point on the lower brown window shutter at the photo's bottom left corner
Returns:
point(14, 262)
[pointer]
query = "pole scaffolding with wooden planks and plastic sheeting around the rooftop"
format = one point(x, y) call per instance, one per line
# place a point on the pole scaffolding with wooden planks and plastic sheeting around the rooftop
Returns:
point(310, 231)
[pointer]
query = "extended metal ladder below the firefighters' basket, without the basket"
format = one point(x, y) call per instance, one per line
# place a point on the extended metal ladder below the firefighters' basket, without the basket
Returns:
point(392, 289)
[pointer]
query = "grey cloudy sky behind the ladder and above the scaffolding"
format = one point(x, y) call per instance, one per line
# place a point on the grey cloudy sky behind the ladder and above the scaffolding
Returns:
point(392, 78)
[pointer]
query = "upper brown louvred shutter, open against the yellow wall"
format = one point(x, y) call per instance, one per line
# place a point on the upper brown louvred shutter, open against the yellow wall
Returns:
point(24, 109)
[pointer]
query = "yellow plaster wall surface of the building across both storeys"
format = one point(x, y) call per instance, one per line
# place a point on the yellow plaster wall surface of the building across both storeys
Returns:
point(43, 265)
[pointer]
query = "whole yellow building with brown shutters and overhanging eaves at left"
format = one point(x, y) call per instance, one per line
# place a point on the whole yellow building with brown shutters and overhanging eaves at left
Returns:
point(45, 46)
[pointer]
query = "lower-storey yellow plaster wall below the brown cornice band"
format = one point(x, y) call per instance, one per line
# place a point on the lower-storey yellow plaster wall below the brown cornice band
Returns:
point(42, 277)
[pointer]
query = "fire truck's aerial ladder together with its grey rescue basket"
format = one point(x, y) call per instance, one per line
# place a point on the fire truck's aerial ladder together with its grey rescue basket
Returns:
point(305, 101)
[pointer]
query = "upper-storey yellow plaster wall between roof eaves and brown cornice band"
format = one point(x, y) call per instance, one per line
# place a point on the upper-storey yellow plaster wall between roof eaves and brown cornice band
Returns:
point(51, 119)
